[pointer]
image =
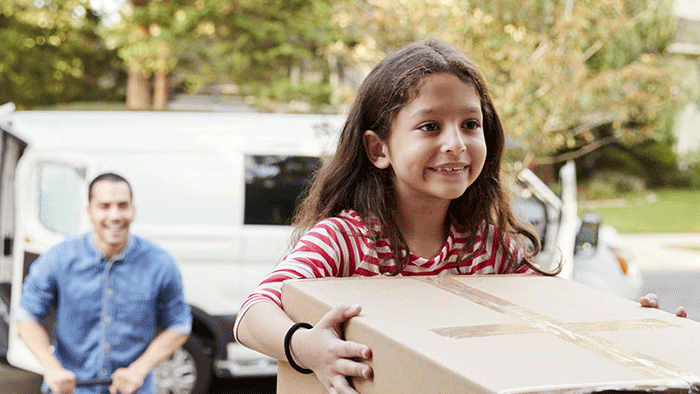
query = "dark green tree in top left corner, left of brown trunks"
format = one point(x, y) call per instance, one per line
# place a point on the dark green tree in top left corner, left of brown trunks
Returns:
point(51, 53)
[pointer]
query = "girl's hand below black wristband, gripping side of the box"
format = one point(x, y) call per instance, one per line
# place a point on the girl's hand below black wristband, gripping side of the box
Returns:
point(322, 350)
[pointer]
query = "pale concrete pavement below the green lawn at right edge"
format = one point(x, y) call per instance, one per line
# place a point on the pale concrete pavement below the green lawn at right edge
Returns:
point(665, 252)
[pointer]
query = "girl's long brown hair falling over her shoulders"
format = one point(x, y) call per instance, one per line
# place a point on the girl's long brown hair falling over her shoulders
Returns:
point(350, 181)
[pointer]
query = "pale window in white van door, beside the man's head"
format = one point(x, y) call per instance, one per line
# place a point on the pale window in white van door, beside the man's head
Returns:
point(59, 204)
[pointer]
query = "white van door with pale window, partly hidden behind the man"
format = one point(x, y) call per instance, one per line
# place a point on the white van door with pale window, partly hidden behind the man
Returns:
point(50, 204)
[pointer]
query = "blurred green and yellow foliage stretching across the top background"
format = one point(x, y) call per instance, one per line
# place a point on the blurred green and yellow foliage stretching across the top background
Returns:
point(558, 70)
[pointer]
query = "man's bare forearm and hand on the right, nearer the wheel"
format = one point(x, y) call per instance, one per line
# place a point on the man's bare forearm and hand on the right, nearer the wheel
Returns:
point(128, 380)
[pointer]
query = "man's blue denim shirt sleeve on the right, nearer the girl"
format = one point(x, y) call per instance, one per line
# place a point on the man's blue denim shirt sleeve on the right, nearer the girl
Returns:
point(173, 311)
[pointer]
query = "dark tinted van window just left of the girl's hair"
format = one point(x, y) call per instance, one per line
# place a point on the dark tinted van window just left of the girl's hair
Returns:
point(274, 185)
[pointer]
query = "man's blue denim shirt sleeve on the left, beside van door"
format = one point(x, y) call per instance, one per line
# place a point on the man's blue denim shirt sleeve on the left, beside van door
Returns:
point(40, 287)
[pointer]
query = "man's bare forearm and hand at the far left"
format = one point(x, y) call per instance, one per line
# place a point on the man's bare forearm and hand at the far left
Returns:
point(59, 379)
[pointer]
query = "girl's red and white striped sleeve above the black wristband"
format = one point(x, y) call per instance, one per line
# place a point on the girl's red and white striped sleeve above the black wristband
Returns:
point(322, 252)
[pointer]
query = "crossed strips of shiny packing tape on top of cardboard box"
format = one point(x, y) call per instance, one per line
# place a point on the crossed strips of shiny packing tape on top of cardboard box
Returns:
point(574, 333)
